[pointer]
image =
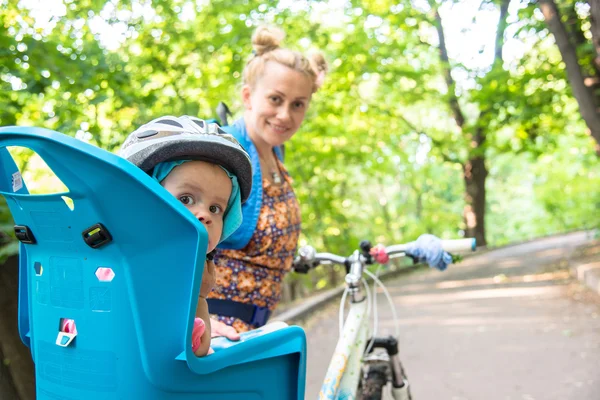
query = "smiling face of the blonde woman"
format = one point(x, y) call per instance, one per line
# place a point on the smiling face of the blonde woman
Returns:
point(276, 105)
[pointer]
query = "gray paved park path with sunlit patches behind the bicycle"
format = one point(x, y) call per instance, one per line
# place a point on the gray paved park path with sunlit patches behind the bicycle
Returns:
point(509, 324)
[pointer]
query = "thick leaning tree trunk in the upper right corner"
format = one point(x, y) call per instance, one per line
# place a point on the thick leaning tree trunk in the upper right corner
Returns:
point(583, 94)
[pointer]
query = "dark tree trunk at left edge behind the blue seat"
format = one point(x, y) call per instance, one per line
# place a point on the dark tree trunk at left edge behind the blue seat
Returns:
point(17, 378)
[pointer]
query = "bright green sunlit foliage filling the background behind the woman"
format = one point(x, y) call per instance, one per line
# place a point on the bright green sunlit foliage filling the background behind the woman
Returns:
point(378, 156)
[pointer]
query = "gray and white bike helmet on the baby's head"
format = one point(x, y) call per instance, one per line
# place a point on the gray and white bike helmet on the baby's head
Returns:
point(188, 138)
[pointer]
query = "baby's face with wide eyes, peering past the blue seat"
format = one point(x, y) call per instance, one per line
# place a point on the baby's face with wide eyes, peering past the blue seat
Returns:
point(204, 188)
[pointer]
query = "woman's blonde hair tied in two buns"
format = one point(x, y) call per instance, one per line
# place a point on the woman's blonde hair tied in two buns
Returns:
point(265, 44)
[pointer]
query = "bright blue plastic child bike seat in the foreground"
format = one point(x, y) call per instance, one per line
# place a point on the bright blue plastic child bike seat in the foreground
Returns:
point(134, 332)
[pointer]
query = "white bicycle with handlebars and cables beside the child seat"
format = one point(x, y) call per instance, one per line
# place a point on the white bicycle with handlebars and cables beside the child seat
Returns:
point(362, 366)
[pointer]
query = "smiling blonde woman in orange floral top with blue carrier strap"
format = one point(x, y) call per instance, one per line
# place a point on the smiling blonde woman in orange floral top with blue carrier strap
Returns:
point(278, 85)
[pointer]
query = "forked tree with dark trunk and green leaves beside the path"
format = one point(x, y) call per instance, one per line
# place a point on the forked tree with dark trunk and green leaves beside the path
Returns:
point(501, 118)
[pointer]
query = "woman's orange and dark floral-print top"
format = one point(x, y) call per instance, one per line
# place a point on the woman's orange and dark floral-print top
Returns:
point(254, 274)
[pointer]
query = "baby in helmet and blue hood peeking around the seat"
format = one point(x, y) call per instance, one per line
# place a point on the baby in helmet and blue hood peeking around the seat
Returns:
point(209, 173)
